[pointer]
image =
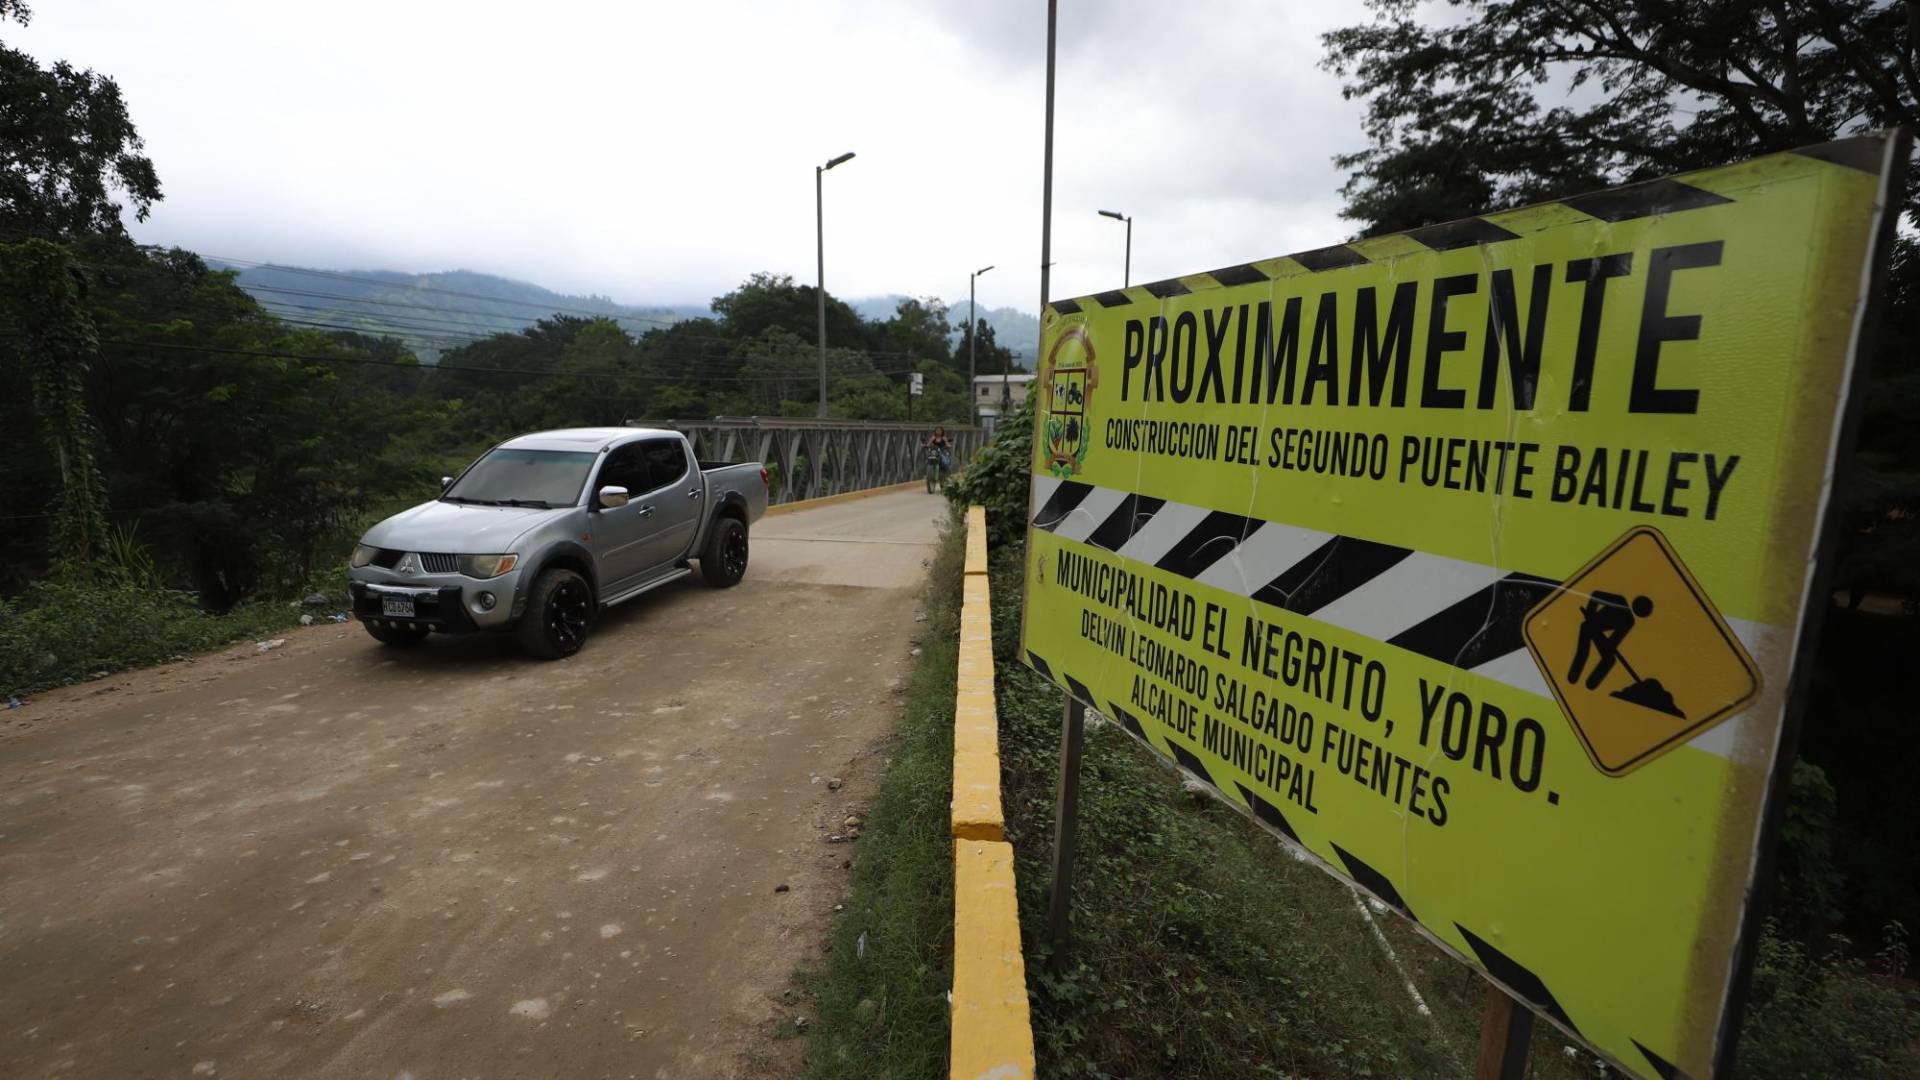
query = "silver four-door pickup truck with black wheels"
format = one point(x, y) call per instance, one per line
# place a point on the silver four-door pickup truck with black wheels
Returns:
point(546, 529)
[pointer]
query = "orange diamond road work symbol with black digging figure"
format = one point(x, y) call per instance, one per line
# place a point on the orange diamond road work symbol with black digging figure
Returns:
point(1637, 654)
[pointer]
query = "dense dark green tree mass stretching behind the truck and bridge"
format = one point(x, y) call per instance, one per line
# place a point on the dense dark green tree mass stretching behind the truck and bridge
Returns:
point(176, 454)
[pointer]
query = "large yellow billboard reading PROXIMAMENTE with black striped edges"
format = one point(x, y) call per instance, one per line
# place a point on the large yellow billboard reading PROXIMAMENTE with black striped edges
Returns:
point(1476, 560)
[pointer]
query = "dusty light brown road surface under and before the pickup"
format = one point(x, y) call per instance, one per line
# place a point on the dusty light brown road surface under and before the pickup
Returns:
point(343, 860)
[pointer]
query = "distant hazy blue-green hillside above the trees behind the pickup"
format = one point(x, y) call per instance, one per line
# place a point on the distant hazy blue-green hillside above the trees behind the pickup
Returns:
point(433, 312)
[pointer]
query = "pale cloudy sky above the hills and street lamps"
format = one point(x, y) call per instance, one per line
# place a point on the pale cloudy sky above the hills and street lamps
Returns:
point(661, 153)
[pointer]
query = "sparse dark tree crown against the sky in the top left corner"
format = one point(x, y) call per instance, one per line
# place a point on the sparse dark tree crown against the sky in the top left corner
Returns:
point(66, 149)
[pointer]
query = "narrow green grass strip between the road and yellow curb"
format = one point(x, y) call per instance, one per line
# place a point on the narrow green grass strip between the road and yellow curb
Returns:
point(882, 993)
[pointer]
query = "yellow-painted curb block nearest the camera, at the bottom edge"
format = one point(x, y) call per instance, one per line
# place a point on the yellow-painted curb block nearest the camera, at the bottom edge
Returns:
point(992, 1031)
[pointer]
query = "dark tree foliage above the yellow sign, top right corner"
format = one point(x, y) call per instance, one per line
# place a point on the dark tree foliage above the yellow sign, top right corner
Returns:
point(1460, 120)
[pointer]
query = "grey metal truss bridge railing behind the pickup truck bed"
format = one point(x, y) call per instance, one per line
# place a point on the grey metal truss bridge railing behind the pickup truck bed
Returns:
point(813, 458)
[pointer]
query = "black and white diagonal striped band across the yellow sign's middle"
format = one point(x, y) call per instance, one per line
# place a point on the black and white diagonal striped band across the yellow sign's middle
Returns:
point(1460, 614)
